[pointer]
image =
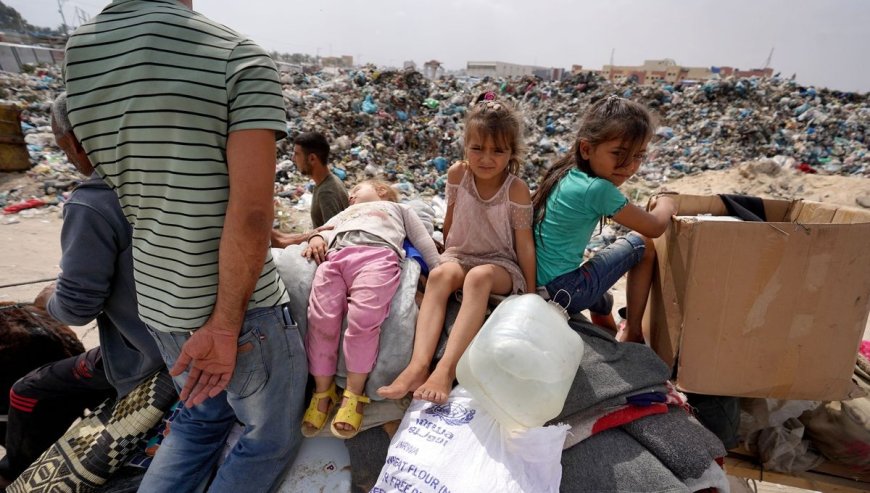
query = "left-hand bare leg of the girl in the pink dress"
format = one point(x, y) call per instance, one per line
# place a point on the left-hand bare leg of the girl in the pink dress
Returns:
point(442, 282)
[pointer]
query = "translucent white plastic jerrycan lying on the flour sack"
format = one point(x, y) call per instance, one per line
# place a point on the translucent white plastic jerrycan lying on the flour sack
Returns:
point(521, 364)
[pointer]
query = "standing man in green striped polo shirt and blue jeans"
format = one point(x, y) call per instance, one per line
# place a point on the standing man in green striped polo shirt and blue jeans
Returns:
point(180, 114)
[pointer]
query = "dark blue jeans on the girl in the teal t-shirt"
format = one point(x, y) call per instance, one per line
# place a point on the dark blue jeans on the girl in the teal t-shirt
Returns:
point(586, 286)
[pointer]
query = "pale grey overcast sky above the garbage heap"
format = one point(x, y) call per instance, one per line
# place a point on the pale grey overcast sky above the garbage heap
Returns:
point(825, 42)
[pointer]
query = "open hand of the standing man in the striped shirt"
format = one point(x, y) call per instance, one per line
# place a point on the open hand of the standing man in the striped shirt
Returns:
point(210, 353)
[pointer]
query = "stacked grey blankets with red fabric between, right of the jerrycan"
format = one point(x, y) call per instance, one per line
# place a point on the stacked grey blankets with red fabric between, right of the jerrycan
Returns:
point(631, 430)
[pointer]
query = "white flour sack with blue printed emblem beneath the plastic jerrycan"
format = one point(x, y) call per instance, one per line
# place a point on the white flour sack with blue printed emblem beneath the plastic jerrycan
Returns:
point(458, 447)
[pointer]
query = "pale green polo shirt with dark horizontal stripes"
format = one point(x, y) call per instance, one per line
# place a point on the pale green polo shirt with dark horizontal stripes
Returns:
point(154, 89)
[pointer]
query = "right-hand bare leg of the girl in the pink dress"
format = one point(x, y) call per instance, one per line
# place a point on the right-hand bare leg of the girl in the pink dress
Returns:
point(479, 283)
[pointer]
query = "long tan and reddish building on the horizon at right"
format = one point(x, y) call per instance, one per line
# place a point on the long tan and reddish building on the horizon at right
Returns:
point(667, 71)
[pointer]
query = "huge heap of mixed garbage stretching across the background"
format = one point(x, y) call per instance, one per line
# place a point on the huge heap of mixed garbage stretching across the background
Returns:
point(402, 127)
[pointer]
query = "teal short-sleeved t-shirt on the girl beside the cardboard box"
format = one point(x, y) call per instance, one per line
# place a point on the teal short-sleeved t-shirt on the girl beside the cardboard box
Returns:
point(574, 208)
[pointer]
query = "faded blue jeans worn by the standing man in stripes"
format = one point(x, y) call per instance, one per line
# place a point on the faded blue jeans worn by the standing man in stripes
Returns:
point(266, 393)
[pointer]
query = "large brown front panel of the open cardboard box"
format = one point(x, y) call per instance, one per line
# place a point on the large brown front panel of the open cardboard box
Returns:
point(771, 319)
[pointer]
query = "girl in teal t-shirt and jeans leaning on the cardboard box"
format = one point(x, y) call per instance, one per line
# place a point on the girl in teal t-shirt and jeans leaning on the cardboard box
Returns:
point(576, 194)
